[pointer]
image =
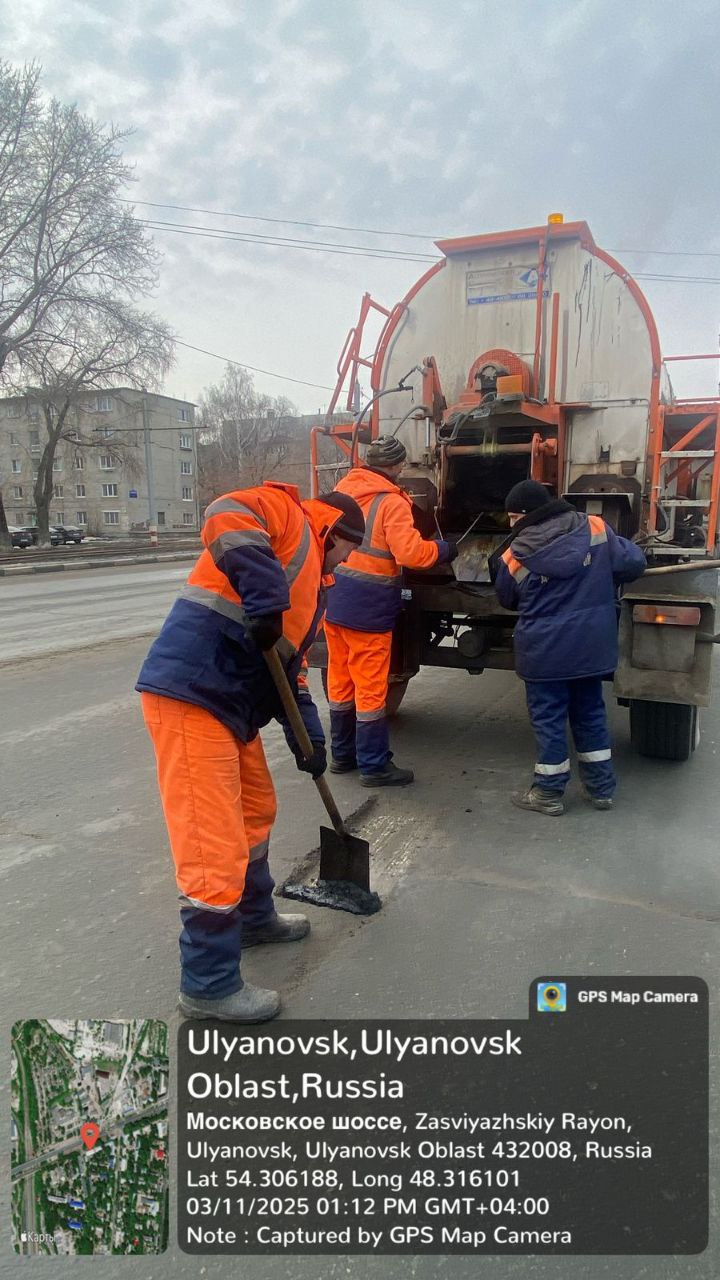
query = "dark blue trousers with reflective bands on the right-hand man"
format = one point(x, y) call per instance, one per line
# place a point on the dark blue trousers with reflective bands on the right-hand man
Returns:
point(552, 705)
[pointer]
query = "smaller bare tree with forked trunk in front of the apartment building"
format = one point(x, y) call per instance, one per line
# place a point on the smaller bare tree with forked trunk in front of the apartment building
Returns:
point(120, 346)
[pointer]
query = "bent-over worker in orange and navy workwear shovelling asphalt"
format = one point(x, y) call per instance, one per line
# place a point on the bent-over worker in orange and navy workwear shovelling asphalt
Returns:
point(207, 692)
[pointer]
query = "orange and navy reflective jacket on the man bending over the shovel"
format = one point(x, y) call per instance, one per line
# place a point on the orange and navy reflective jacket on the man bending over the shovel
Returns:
point(263, 555)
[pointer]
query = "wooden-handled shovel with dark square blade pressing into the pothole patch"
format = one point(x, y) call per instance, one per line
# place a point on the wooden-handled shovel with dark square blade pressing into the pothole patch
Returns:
point(344, 883)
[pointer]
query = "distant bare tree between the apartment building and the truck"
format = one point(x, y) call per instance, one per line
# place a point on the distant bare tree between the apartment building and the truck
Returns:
point(245, 437)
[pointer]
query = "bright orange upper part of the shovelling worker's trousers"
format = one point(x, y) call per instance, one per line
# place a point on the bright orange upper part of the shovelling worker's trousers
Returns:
point(218, 799)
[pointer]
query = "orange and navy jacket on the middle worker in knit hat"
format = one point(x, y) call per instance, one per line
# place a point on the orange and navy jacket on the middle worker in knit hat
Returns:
point(367, 593)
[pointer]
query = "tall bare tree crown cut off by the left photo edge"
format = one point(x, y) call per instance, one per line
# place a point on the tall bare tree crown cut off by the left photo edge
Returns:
point(69, 245)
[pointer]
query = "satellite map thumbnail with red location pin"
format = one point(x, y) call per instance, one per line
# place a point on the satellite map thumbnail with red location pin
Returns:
point(90, 1137)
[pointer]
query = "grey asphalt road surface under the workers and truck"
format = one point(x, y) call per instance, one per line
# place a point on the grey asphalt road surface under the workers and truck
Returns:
point(480, 898)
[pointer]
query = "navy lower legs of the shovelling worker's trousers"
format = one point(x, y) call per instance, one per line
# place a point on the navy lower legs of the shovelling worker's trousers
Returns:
point(211, 941)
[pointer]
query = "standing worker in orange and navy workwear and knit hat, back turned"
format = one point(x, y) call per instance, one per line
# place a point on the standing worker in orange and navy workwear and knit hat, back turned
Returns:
point(363, 606)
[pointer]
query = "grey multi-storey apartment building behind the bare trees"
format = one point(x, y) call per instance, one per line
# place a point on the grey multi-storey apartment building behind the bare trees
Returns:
point(101, 473)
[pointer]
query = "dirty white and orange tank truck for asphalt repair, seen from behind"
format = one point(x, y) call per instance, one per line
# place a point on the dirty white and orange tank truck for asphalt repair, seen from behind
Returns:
point(535, 354)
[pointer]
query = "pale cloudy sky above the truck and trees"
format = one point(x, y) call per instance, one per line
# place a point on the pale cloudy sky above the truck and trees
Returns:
point(417, 118)
